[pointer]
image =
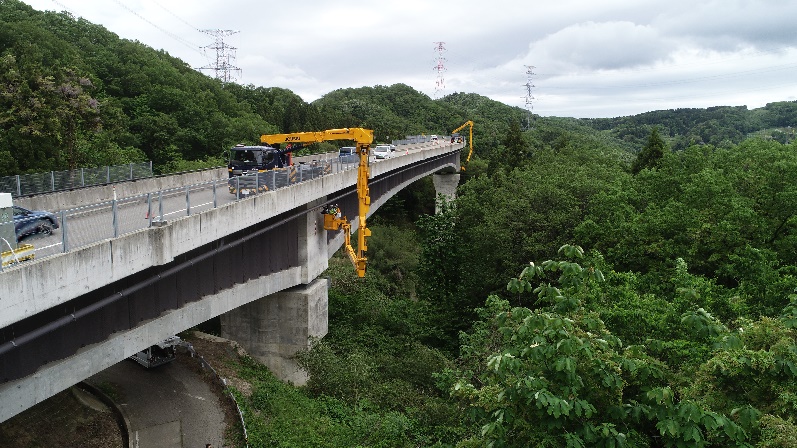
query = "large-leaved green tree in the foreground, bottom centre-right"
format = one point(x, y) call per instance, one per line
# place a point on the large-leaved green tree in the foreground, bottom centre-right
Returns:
point(557, 377)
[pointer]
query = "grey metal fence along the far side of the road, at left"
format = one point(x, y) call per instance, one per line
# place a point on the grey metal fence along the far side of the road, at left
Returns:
point(29, 184)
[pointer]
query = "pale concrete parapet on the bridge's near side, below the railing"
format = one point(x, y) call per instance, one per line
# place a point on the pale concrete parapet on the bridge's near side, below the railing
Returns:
point(38, 285)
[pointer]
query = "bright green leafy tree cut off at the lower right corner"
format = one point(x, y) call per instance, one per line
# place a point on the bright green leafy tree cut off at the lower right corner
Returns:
point(752, 374)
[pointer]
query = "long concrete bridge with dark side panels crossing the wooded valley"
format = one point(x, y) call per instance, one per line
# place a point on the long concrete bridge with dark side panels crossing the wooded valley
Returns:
point(255, 262)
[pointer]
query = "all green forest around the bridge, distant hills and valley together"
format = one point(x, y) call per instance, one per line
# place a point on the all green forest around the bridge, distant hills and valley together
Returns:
point(596, 283)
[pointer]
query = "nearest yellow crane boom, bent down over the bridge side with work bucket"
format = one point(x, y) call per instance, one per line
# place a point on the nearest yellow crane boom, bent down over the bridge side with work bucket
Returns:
point(332, 218)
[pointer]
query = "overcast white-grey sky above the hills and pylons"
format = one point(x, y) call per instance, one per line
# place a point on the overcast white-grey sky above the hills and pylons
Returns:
point(591, 58)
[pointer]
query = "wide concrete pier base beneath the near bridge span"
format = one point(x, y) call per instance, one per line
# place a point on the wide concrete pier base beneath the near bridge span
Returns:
point(274, 328)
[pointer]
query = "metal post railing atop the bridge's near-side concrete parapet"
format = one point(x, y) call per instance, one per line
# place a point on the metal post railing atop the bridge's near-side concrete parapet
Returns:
point(89, 224)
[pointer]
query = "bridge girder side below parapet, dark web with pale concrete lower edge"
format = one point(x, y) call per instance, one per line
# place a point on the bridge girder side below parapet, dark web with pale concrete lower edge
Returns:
point(52, 350)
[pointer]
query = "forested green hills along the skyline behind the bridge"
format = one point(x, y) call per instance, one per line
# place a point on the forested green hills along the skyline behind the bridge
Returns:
point(76, 95)
